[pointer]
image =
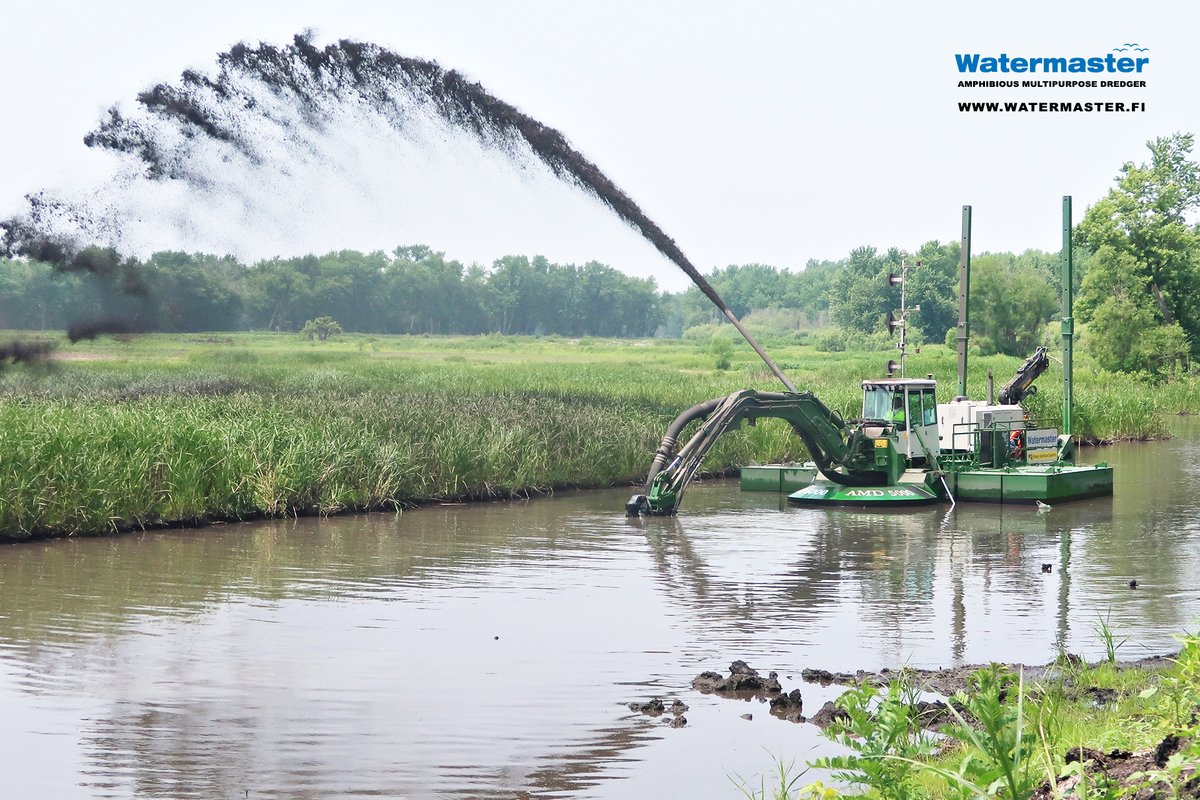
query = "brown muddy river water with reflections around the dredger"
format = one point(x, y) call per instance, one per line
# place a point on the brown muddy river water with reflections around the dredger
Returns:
point(490, 651)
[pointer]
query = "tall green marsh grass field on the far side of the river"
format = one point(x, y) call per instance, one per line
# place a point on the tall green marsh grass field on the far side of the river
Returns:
point(187, 429)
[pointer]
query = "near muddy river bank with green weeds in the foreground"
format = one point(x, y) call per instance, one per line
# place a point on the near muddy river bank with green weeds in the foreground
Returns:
point(1067, 729)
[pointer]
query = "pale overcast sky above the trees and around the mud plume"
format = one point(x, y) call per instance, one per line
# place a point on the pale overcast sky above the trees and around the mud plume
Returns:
point(771, 131)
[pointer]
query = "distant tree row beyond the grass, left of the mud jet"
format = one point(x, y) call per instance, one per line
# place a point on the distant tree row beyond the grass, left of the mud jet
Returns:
point(412, 291)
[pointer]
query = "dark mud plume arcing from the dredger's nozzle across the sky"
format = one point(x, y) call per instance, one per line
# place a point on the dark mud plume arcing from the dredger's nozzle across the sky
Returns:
point(268, 109)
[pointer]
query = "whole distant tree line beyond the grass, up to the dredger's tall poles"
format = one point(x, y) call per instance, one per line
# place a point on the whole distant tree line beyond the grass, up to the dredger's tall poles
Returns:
point(418, 291)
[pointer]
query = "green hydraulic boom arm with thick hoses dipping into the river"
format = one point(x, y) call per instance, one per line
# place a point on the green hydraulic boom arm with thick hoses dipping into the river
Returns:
point(853, 456)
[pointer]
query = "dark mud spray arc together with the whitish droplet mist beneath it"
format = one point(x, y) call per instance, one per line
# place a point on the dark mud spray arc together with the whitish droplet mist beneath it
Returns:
point(298, 149)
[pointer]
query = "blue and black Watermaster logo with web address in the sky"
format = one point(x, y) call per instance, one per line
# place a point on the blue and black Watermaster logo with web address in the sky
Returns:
point(1123, 69)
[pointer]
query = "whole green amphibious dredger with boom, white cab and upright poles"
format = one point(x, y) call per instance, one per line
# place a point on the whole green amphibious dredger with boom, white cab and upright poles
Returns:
point(907, 449)
